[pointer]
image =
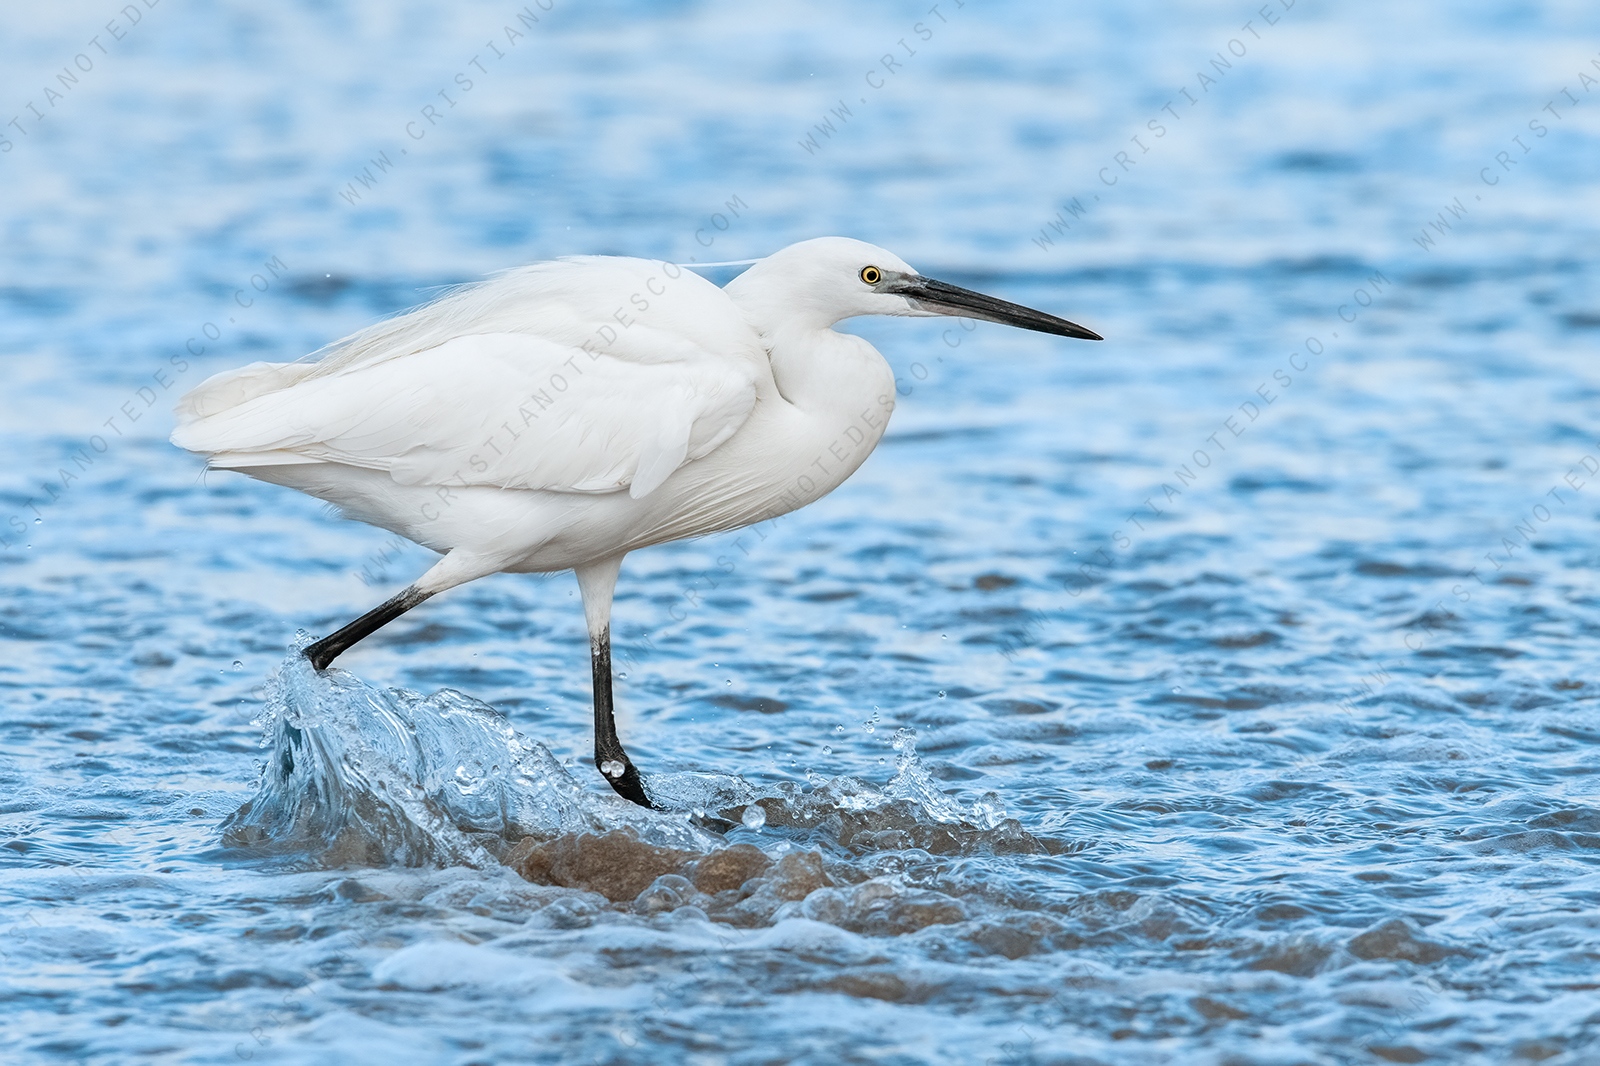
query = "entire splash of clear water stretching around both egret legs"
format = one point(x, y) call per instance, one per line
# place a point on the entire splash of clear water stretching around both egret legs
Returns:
point(370, 777)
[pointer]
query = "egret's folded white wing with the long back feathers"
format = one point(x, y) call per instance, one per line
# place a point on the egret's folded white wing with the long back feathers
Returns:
point(591, 409)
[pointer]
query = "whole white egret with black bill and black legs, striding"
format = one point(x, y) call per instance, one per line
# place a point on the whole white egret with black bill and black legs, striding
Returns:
point(567, 414)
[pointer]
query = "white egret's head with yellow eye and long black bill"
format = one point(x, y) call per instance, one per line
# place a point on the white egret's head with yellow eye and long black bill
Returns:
point(825, 281)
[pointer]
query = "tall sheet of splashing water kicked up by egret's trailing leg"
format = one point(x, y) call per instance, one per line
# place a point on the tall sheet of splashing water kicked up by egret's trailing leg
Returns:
point(364, 775)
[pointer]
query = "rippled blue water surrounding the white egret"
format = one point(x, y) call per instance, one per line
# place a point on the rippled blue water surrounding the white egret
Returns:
point(1289, 758)
